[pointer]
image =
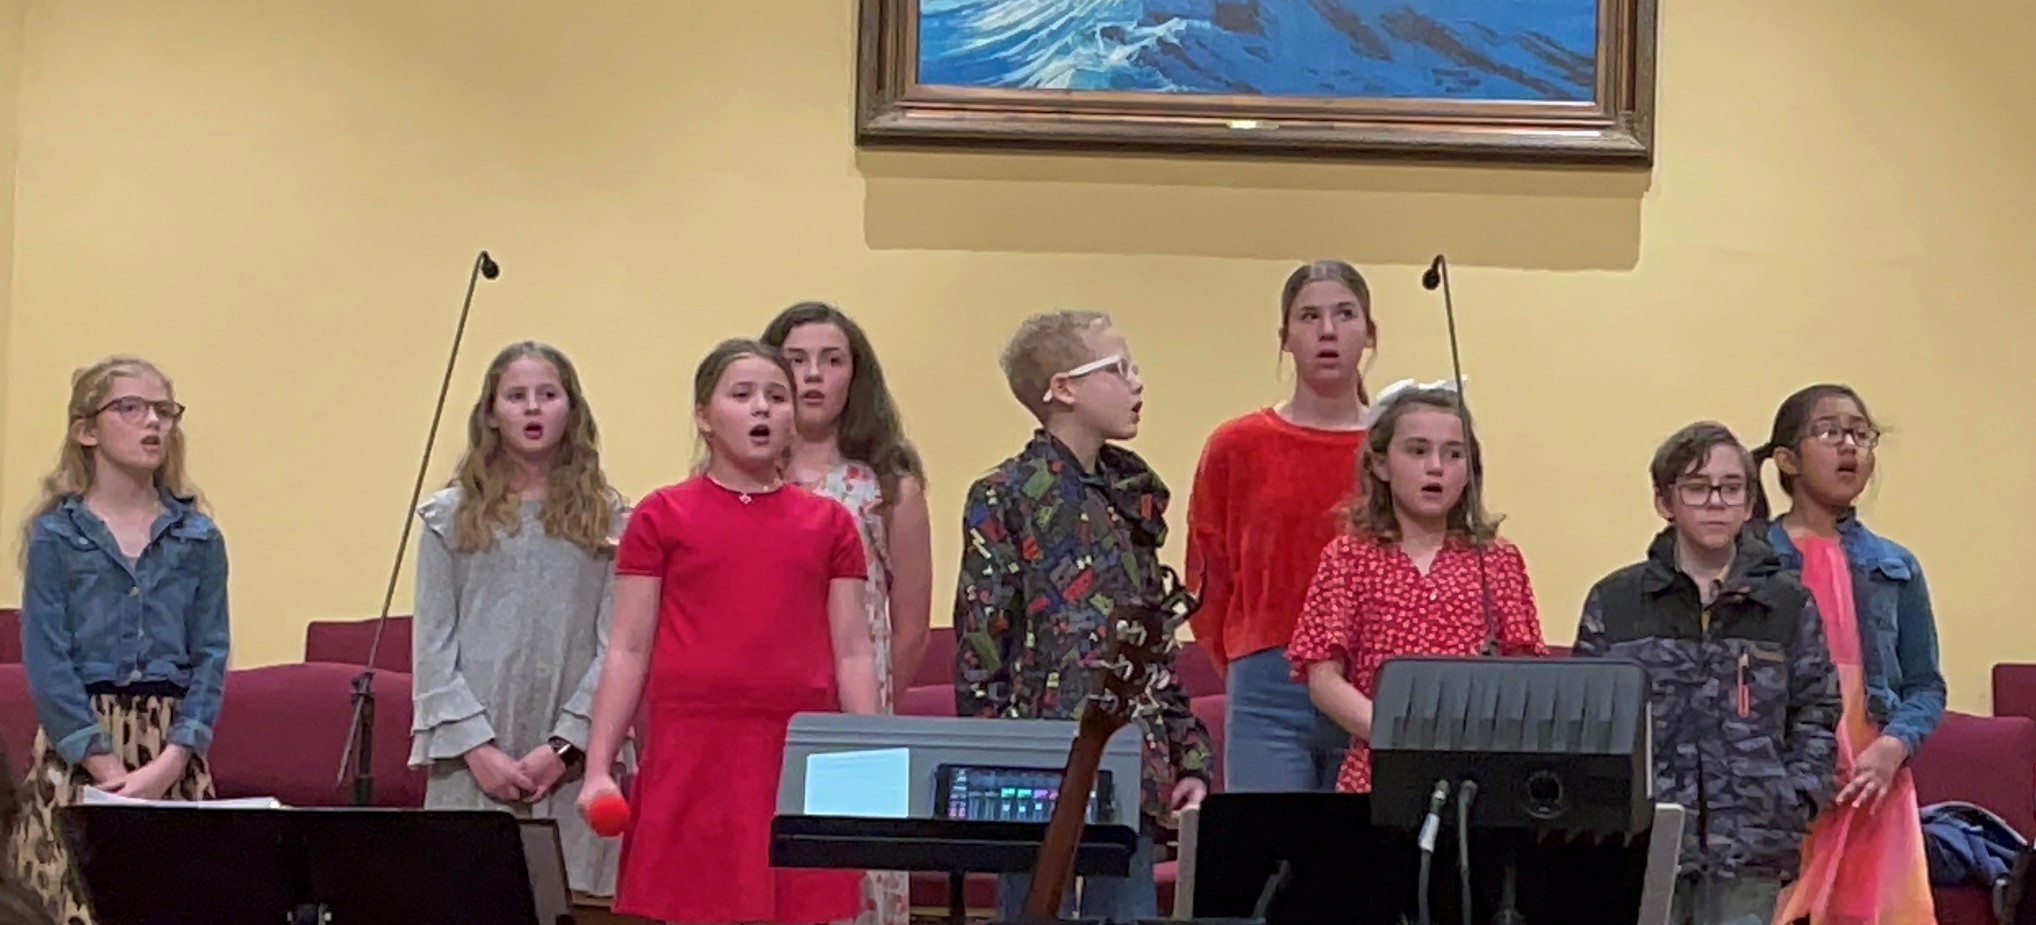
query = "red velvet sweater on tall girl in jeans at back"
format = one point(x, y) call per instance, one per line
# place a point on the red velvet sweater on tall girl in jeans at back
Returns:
point(1261, 510)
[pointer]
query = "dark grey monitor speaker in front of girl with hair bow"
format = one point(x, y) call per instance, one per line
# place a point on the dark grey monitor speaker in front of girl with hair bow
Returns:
point(1559, 747)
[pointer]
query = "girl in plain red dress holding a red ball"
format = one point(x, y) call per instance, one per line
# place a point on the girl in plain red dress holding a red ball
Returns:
point(738, 604)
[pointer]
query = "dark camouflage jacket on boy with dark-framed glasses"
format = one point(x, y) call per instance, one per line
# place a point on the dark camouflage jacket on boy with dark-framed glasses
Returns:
point(1746, 702)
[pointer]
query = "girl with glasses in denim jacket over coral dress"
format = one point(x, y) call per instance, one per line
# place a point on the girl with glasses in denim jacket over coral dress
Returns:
point(1884, 645)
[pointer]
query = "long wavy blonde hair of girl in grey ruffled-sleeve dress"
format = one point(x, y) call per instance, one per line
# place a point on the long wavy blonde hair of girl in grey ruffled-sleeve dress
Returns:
point(579, 504)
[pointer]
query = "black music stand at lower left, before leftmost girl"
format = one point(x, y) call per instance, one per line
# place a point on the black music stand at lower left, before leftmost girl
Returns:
point(300, 867)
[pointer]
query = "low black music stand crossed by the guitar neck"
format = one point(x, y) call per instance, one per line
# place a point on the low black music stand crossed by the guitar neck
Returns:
point(952, 847)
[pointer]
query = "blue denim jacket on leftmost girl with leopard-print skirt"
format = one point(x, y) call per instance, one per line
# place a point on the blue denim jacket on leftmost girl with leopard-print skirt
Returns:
point(91, 622)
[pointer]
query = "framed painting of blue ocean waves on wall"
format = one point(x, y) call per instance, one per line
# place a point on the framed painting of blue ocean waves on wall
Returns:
point(1491, 80)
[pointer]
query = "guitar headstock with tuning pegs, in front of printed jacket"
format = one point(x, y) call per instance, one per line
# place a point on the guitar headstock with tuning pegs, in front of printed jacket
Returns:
point(1135, 657)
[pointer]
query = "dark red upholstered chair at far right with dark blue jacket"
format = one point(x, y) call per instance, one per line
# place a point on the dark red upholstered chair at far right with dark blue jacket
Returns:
point(1988, 763)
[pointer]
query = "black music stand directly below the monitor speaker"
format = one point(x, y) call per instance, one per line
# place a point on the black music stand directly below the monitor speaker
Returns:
point(1345, 869)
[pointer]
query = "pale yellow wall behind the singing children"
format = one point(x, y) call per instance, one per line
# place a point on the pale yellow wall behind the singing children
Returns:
point(280, 203)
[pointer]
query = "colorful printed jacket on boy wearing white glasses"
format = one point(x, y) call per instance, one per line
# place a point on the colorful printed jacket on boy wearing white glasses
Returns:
point(1048, 555)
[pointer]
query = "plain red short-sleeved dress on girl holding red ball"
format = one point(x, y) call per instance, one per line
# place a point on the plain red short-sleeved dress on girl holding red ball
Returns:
point(742, 647)
